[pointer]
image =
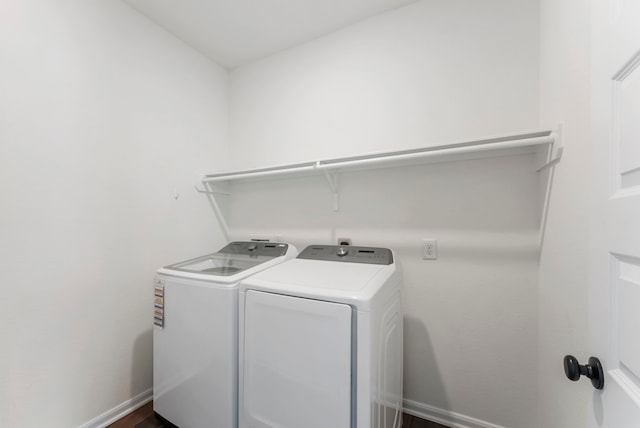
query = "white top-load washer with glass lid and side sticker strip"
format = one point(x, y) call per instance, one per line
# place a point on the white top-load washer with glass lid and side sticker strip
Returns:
point(195, 336)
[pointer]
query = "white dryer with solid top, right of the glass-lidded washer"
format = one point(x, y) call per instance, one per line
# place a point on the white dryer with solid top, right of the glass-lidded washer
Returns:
point(321, 341)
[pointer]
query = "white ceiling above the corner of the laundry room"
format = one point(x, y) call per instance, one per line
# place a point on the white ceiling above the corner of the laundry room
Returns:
point(236, 32)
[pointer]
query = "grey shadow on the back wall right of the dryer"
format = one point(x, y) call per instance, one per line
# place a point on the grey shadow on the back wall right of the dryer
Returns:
point(420, 362)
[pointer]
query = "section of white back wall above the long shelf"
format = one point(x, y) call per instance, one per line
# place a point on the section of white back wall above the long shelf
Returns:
point(431, 72)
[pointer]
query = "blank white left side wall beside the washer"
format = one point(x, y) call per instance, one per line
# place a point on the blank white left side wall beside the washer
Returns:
point(103, 117)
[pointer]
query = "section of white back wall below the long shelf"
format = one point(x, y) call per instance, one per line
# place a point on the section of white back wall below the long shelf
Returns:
point(470, 316)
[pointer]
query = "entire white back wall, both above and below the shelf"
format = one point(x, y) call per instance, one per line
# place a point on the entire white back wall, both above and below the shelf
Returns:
point(432, 72)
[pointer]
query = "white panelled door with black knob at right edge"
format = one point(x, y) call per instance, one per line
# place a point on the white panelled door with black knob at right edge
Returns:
point(615, 263)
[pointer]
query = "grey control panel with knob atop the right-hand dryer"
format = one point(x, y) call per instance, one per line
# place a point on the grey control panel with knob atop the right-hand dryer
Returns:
point(348, 253)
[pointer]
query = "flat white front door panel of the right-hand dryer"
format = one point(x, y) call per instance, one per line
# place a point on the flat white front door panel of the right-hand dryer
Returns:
point(297, 363)
